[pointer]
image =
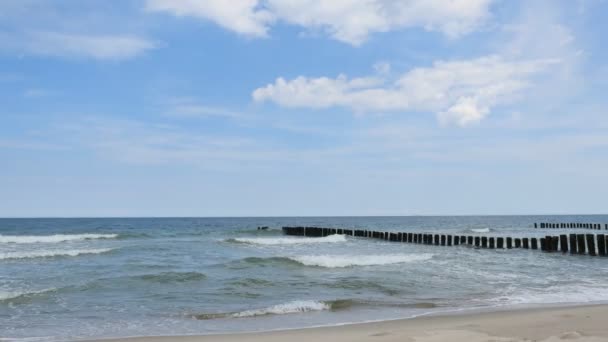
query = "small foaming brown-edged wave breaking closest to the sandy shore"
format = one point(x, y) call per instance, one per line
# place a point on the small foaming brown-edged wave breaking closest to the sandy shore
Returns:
point(299, 306)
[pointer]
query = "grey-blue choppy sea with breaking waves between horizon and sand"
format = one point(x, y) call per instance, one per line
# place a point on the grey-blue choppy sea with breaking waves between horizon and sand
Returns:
point(91, 278)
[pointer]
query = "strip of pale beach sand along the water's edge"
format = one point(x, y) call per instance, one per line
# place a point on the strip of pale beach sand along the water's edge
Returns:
point(580, 323)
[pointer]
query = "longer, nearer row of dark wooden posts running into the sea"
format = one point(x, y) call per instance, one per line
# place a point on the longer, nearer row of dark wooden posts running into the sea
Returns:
point(590, 244)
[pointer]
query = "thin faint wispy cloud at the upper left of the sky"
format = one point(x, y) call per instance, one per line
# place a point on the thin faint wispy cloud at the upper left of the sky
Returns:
point(55, 44)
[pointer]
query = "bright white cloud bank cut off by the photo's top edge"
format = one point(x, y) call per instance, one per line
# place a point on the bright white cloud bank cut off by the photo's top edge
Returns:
point(349, 21)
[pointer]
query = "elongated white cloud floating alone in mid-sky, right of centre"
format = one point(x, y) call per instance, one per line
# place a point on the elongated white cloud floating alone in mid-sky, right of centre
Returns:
point(461, 92)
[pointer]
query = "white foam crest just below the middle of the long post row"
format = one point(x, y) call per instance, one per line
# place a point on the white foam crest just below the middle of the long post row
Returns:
point(339, 261)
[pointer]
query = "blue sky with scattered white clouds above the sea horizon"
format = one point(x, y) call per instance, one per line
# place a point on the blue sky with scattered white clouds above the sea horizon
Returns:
point(303, 107)
